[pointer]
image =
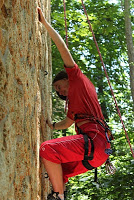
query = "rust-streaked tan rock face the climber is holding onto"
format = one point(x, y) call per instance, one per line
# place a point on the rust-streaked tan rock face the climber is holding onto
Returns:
point(25, 98)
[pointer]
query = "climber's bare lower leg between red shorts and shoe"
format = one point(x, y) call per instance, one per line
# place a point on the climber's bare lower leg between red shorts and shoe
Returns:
point(55, 174)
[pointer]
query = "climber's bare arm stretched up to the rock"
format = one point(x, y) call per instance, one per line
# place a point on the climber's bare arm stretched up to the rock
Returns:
point(65, 54)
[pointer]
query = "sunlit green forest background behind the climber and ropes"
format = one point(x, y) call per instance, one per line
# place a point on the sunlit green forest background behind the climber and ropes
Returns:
point(110, 25)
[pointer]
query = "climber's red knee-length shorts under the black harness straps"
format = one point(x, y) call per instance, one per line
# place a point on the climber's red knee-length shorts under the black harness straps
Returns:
point(69, 151)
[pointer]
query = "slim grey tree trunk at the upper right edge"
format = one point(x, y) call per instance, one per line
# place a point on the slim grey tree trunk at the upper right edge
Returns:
point(130, 48)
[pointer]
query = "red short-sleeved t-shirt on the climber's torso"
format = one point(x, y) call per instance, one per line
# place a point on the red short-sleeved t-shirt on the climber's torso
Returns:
point(82, 96)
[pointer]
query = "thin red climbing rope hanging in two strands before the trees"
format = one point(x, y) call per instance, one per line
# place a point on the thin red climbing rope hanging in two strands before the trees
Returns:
point(90, 27)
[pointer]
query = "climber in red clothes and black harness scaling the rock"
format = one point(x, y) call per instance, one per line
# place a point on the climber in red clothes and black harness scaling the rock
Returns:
point(72, 155)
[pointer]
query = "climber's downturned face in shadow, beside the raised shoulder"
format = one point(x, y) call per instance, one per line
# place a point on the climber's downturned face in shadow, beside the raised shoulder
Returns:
point(62, 86)
